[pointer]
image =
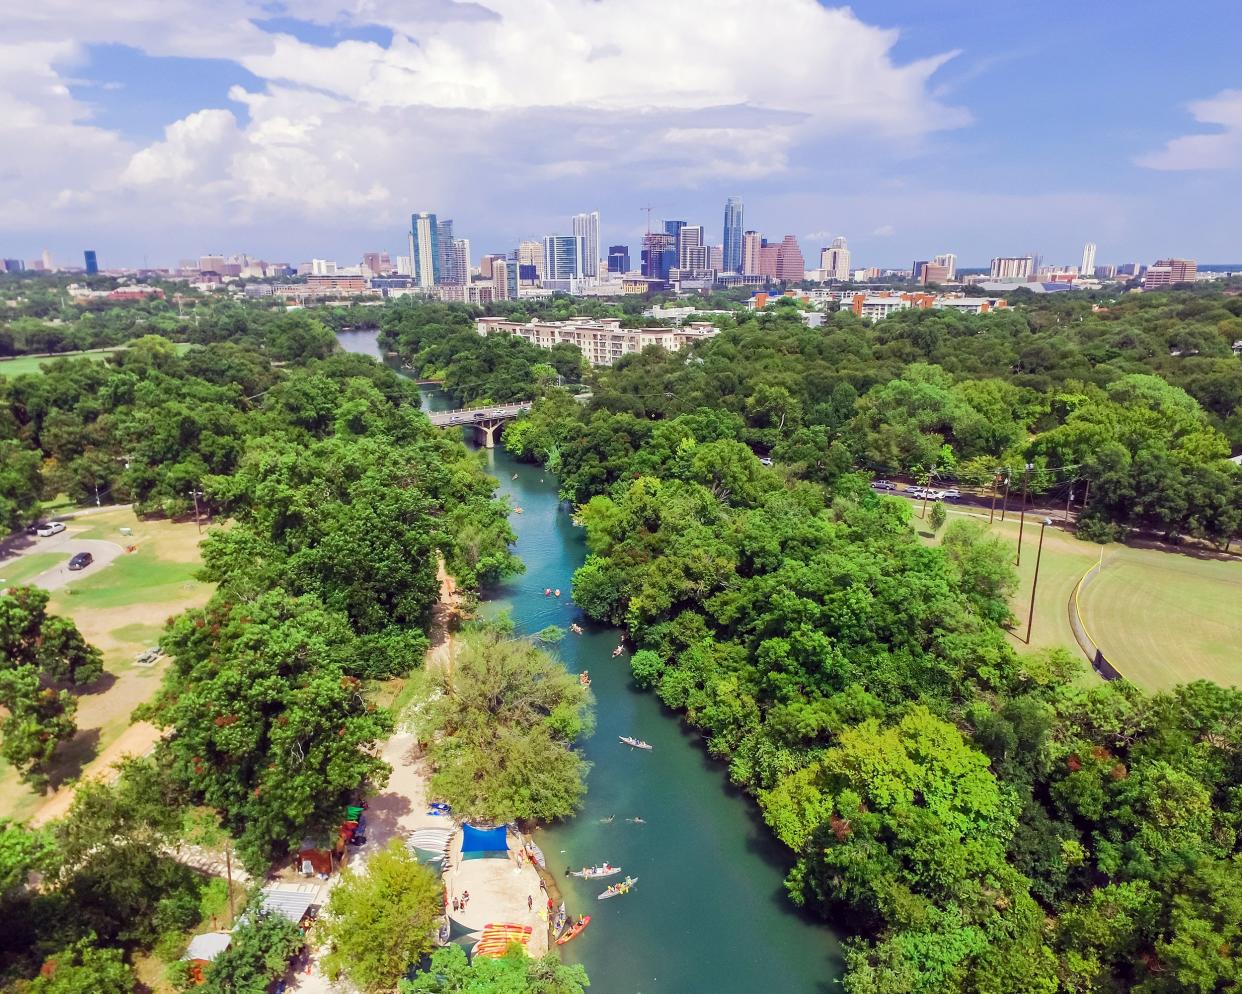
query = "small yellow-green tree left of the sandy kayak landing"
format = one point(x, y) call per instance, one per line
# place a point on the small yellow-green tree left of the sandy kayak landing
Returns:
point(379, 923)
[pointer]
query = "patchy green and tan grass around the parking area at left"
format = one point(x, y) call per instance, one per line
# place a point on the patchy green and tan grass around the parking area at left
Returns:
point(122, 609)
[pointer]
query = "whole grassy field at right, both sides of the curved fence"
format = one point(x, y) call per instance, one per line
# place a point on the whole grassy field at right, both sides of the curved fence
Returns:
point(1162, 617)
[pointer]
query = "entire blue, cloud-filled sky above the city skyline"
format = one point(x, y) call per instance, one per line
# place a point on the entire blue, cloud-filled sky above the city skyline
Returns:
point(155, 131)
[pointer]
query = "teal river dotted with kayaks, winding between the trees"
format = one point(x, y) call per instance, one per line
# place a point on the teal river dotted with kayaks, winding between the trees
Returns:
point(710, 914)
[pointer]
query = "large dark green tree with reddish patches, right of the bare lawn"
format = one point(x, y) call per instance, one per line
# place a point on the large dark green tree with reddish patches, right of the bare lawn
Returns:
point(270, 727)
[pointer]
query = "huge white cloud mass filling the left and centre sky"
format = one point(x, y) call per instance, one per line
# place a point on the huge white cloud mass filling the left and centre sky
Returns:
point(470, 101)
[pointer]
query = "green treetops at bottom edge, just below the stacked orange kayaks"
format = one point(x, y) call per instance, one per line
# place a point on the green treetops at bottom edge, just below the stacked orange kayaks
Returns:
point(514, 973)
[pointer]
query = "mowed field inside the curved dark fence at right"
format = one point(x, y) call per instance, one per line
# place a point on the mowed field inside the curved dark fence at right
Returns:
point(1167, 618)
